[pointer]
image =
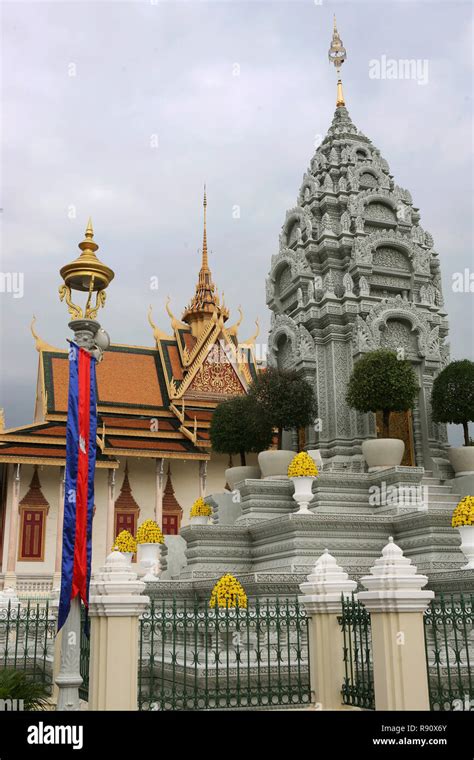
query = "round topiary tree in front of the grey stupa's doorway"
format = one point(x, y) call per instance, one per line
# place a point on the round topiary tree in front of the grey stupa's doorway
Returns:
point(382, 382)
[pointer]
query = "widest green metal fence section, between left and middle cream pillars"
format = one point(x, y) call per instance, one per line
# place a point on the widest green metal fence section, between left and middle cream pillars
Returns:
point(194, 658)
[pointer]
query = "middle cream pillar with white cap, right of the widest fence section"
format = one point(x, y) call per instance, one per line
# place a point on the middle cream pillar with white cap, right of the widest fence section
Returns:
point(322, 602)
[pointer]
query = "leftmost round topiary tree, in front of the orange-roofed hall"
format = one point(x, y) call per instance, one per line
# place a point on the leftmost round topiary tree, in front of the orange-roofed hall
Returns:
point(239, 427)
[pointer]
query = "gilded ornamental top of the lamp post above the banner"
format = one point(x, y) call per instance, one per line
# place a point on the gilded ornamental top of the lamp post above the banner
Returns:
point(86, 274)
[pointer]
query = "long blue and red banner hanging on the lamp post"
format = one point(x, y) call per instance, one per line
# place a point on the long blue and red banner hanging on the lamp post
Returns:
point(79, 486)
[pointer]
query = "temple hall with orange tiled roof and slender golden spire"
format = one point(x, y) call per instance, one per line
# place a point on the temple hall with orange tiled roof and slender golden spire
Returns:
point(154, 459)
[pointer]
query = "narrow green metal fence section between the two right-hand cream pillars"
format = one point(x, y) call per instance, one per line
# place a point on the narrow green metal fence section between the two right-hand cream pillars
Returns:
point(358, 686)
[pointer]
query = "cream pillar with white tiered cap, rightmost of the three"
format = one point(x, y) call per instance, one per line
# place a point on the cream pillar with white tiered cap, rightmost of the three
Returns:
point(396, 603)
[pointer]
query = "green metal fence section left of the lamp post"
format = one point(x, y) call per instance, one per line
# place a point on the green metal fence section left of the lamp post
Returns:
point(27, 640)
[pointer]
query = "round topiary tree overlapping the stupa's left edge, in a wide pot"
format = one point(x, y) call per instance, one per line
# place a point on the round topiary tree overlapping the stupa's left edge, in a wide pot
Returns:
point(285, 398)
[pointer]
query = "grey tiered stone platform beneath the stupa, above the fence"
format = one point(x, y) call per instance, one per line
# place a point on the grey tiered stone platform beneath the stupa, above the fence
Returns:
point(262, 540)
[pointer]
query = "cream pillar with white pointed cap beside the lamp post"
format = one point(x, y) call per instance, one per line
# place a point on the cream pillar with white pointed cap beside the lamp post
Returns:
point(116, 602)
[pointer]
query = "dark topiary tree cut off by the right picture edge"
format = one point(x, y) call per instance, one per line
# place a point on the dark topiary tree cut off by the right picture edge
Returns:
point(452, 397)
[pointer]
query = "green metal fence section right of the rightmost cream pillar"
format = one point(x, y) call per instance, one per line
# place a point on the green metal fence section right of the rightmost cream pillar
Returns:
point(449, 642)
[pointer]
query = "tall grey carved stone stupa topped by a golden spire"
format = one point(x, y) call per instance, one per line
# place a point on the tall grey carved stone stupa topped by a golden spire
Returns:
point(356, 271)
